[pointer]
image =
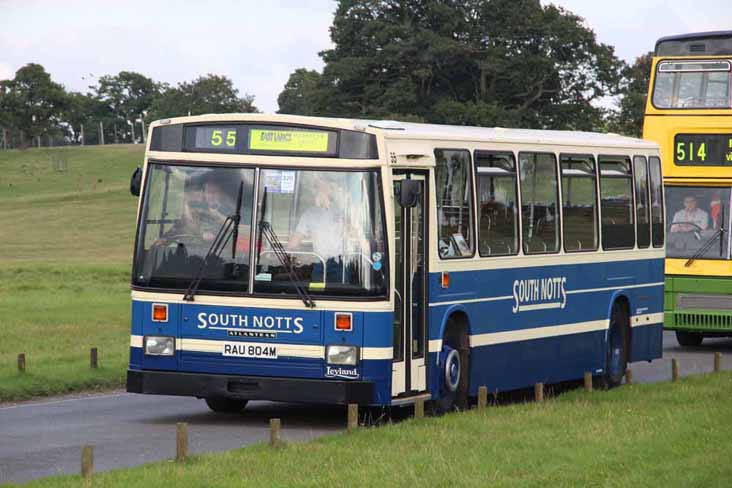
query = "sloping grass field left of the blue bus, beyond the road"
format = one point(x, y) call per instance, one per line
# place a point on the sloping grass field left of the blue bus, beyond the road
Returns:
point(67, 224)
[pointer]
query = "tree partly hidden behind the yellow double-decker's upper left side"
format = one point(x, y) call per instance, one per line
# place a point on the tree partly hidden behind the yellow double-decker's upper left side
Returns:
point(636, 78)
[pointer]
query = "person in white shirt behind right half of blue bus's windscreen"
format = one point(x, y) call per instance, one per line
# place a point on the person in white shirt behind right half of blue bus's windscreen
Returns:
point(323, 224)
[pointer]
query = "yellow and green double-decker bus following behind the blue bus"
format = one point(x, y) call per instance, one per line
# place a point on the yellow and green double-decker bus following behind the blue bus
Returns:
point(689, 114)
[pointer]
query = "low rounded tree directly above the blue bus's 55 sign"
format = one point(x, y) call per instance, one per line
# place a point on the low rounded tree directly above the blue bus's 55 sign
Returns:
point(206, 94)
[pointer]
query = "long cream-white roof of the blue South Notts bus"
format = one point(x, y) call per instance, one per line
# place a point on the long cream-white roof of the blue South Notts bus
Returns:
point(394, 130)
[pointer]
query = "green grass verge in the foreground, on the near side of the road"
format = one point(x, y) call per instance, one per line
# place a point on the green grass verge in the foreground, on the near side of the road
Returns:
point(665, 435)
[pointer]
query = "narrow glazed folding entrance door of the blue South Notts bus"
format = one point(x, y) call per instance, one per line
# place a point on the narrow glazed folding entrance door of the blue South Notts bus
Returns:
point(409, 368)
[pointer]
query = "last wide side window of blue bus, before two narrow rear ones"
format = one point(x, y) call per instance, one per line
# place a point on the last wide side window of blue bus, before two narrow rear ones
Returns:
point(616, 202)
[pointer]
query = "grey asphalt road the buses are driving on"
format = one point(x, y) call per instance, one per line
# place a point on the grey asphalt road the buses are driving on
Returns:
point(45, 438)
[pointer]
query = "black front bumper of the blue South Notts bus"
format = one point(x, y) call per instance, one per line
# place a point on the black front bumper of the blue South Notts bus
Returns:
point(250, 387)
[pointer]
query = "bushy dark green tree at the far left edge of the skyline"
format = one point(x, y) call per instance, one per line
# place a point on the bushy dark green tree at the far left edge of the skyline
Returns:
point(32, 102)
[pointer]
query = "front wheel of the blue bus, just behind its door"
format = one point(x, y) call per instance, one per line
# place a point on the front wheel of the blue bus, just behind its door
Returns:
point(454, 370)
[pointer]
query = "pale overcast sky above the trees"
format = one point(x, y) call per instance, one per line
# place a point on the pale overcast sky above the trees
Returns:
point(259, 43)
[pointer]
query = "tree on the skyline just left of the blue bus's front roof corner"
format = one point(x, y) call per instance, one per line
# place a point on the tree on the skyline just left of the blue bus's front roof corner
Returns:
point(128, 96)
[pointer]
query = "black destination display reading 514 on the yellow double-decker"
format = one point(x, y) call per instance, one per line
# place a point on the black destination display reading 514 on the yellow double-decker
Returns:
point(703, 149)
